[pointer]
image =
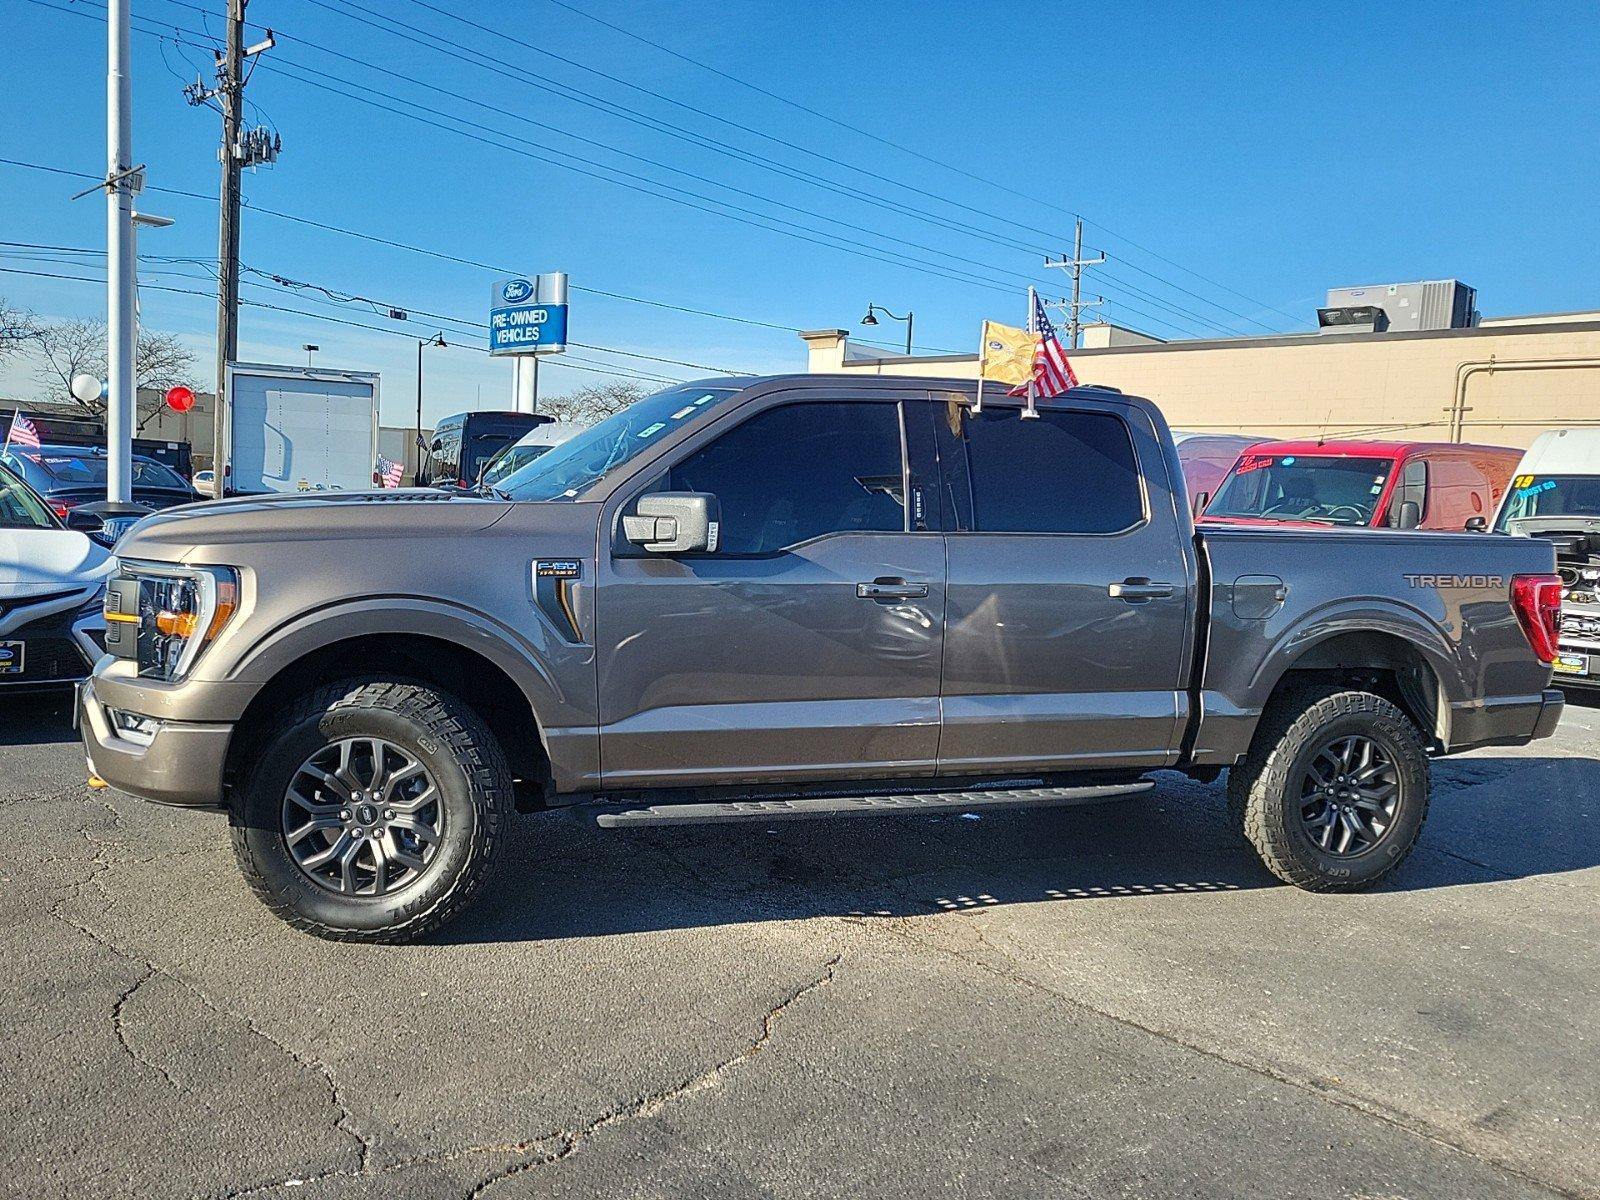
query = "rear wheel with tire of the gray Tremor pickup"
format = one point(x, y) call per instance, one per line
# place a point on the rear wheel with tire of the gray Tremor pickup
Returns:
point(1334, 791)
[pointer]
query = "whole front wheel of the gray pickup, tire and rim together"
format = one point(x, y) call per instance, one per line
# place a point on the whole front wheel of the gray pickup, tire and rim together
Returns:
point(372, 812)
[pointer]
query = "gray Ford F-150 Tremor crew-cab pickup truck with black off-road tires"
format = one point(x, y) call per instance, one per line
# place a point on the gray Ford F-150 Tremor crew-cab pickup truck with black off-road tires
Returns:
point(782, 598)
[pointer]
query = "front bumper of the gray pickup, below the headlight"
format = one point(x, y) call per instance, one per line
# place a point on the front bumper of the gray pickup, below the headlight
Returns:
point(182, 766)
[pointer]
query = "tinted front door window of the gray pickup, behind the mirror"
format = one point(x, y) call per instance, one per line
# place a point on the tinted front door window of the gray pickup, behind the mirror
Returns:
point(802, 471)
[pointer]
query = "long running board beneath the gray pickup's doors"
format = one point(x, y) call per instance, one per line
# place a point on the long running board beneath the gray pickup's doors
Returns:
point(710, 812)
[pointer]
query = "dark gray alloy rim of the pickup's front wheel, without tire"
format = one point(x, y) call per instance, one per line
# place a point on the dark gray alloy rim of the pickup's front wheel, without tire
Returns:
point(362, 817)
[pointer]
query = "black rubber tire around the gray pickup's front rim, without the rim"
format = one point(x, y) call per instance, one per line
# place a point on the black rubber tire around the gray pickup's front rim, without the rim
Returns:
point(466, 764)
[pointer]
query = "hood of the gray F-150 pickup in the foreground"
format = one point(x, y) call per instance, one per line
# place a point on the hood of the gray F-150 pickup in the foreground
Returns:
point(193, 530)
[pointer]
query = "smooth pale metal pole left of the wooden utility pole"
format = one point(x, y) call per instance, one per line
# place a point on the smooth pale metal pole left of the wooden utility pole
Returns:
point(121, 302)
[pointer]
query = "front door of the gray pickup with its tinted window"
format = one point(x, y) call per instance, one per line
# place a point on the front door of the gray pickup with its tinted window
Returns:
point(809, 644)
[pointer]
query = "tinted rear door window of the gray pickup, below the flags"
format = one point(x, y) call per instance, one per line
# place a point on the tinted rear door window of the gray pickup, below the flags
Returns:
point(1065, 473)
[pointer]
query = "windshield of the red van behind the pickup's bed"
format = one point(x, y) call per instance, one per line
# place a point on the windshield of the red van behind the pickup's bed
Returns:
point(1303, 489)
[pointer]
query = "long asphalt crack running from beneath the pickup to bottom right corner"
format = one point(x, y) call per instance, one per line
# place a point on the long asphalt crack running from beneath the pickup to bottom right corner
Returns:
point(1324, 1089)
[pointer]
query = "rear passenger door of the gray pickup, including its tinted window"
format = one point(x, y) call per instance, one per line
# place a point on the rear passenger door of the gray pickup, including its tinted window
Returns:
point(1068, 630)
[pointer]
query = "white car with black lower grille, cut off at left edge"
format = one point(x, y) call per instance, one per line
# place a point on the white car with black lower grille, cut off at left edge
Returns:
point(52, 588)
